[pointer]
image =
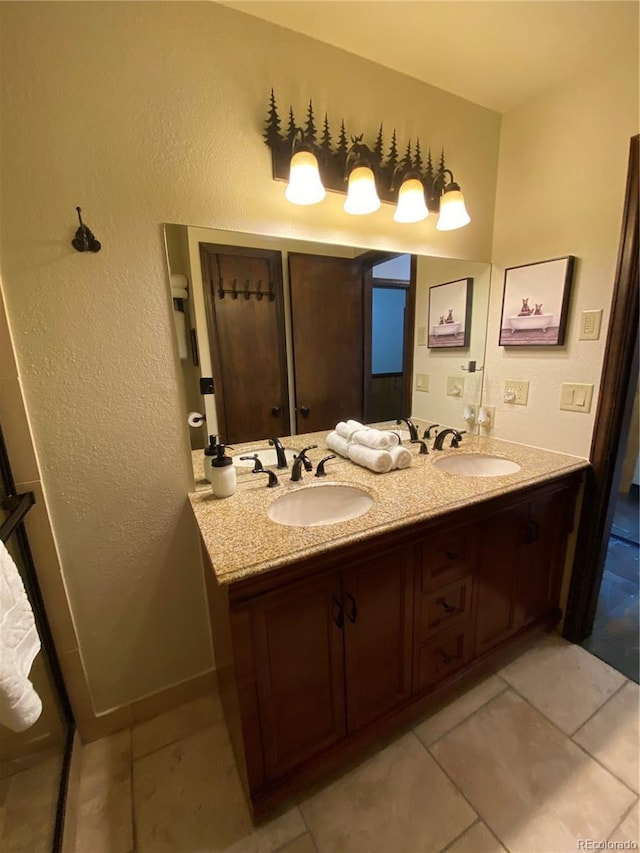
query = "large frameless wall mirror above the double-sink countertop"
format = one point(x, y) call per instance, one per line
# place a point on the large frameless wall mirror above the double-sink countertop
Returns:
point(298, 335)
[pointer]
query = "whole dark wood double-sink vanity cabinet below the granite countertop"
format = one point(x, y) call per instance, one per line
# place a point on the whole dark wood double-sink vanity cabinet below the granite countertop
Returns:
point(320, 657)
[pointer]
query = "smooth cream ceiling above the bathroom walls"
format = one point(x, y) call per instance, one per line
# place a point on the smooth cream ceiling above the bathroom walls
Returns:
point(497, 53)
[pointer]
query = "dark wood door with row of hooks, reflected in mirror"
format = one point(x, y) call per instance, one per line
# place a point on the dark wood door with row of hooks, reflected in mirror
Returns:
point(243, 296)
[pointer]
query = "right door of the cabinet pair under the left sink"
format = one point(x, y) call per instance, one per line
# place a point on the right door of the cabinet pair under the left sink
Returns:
point(378, 602)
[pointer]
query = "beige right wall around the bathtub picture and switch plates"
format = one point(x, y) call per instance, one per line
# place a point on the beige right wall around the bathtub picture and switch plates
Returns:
point(562, 176)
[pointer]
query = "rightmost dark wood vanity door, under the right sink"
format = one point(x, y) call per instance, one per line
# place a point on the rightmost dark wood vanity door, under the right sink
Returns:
point(541, 558)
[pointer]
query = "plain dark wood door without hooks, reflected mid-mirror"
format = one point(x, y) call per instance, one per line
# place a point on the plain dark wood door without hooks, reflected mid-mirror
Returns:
point(327, 317)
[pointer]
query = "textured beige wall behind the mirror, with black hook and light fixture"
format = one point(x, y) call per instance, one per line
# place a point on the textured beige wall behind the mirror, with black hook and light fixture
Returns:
point(143, 113)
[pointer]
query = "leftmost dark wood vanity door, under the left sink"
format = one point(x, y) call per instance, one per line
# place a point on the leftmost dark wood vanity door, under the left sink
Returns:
point(299, 649)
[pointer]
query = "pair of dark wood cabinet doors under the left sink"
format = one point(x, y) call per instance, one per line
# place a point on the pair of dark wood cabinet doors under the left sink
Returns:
point(332, 654)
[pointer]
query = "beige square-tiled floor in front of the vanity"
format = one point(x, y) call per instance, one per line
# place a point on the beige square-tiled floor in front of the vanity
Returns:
point(536, 758)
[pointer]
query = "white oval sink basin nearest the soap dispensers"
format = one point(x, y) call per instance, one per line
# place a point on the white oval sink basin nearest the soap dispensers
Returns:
point(323, 504)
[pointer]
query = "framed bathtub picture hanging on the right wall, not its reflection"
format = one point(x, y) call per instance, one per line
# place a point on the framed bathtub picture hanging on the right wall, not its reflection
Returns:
point(535, 303)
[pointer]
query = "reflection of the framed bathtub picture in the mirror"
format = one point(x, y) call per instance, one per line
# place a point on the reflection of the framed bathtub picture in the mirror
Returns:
point(450, 314)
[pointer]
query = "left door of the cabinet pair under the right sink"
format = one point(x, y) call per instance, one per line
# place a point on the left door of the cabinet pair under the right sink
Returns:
point(501, 539)
